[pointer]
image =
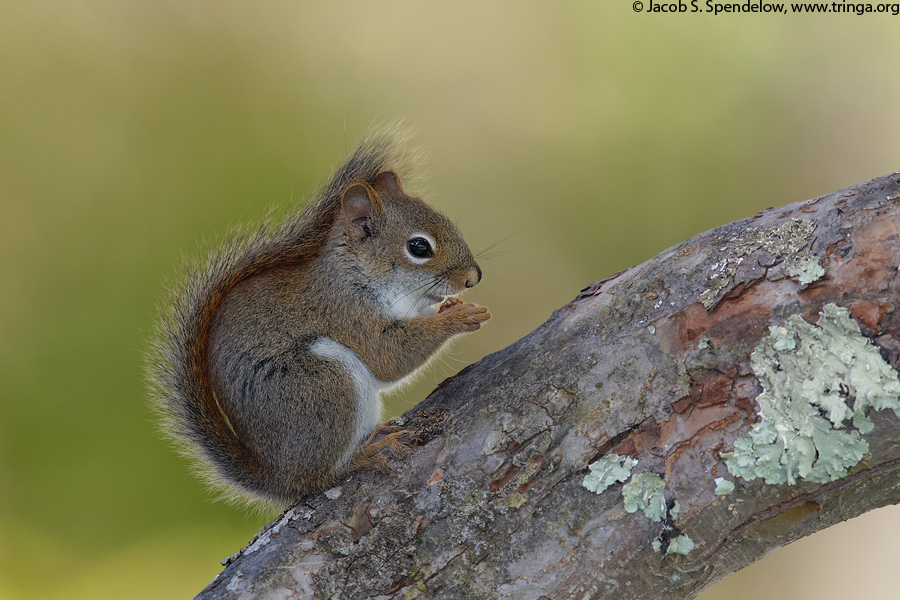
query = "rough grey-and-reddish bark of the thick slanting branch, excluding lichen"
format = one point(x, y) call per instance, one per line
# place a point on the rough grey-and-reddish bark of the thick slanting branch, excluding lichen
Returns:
point(653, 363)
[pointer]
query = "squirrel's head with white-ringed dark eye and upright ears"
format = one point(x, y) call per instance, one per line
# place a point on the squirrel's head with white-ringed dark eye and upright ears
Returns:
point(413, 255)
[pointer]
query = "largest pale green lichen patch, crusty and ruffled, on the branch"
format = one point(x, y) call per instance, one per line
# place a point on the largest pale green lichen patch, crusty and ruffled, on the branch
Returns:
point(818, 382)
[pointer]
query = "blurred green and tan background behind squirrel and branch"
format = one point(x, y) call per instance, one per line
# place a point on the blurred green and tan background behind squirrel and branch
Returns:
point(585, 136)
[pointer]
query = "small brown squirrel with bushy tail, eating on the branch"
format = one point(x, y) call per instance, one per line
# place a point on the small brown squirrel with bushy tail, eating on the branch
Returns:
point(270, 364)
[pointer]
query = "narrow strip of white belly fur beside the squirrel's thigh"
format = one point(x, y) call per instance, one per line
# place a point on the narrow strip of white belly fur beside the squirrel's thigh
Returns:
point(368, 390)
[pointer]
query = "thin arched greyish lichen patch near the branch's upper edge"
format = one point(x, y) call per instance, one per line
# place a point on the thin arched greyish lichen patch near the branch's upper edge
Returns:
point(787, 241)
